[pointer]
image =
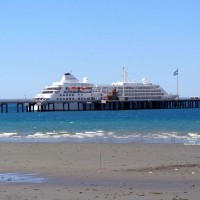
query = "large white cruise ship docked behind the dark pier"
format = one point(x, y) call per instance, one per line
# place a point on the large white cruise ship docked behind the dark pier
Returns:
point(69, 89)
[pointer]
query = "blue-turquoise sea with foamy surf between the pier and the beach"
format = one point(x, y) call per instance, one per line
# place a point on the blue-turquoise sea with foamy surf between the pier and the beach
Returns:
point(130, 126)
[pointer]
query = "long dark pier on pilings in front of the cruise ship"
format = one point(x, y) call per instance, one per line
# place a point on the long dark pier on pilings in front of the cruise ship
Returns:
point(29, 105)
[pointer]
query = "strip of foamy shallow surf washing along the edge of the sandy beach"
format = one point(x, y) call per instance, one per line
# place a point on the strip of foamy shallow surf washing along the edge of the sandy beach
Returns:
point(102, 138)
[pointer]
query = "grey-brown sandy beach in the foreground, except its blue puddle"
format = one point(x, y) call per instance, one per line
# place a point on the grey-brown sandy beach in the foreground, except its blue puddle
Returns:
point(101, 171)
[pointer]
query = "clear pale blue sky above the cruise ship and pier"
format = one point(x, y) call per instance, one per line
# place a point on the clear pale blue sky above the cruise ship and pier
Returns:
point(42, 39)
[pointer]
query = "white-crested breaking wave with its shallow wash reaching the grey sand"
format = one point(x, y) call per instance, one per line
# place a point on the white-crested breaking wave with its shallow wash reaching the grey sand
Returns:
point(105, 137)
